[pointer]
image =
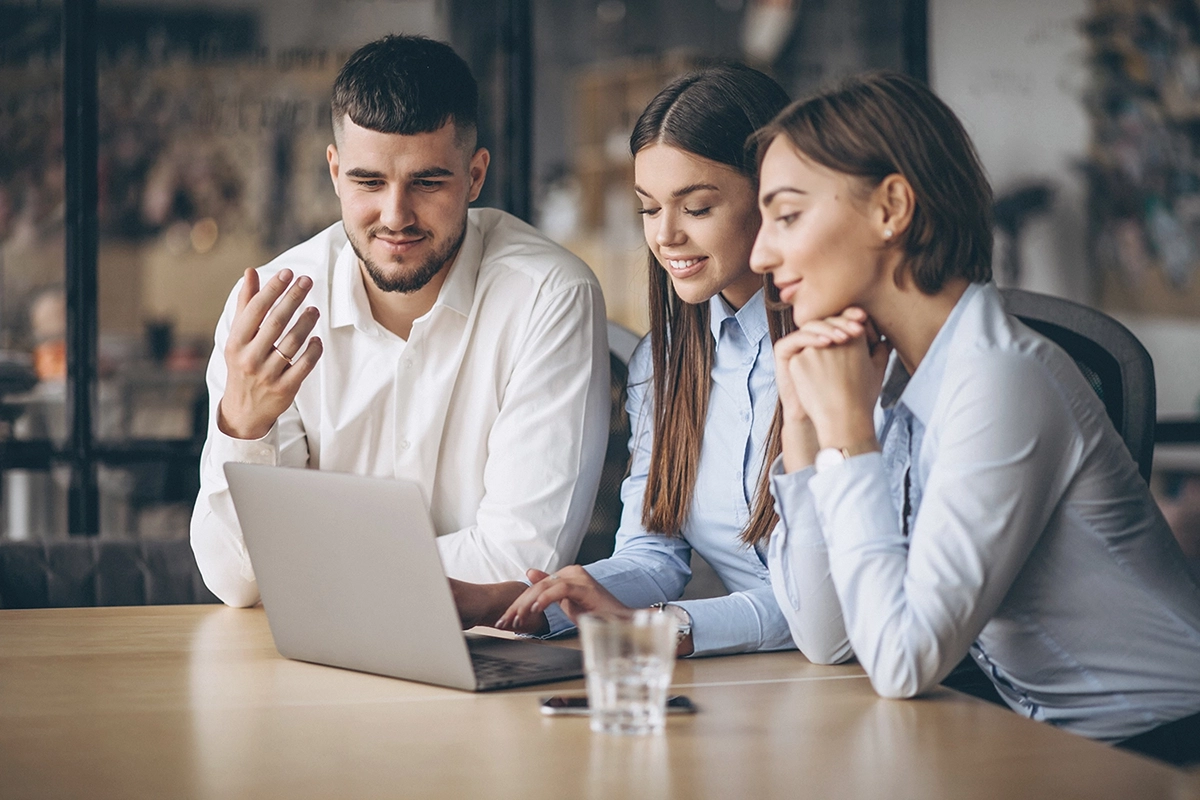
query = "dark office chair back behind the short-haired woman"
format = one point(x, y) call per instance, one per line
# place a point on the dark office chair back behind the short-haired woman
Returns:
point(1112, 359)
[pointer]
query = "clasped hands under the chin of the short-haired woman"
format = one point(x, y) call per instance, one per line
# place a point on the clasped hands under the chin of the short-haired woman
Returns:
point(830, 374)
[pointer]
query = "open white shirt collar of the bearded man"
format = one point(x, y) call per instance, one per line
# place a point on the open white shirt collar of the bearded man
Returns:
point(350, 304)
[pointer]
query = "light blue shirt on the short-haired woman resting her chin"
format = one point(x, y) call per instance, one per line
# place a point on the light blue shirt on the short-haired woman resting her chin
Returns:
point(1034, 542)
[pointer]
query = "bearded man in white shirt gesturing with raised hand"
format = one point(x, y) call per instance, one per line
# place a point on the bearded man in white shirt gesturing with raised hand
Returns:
point(459, 350)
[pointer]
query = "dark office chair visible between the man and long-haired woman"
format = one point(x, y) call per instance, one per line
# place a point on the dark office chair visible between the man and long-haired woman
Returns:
point(599, 539)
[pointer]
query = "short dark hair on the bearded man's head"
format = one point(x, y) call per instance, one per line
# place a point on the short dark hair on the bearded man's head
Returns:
point(407, 86)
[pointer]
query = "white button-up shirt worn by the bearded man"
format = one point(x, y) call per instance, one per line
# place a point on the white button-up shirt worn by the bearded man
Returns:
point(497, 405)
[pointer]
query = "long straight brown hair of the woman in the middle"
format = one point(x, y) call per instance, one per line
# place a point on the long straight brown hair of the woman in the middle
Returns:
point(711, 113)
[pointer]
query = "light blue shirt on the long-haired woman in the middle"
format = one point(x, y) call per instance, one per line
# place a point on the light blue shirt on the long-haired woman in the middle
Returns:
point(650, 568)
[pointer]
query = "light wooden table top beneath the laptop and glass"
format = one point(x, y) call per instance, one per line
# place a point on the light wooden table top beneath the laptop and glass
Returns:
point(195, 702)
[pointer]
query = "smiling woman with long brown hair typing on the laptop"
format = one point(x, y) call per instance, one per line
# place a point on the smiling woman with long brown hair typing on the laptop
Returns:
point(703, 400)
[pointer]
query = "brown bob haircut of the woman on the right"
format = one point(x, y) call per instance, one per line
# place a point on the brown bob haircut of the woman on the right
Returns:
point(884, 124)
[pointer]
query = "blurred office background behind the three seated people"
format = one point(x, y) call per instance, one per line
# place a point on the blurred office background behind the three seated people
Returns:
point(211, 122)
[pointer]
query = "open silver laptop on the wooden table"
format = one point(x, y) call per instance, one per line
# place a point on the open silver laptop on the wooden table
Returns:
point(350, 574)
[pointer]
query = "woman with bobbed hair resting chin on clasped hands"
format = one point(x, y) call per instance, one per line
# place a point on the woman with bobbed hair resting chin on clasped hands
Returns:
point(963, 478)
